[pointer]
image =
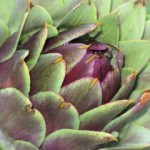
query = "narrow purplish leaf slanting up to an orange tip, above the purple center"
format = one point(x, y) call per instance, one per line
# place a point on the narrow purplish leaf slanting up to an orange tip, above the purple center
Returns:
point(69, 35)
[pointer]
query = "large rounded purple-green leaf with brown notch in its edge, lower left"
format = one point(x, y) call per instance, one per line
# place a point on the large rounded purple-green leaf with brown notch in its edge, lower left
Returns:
point(18, 120)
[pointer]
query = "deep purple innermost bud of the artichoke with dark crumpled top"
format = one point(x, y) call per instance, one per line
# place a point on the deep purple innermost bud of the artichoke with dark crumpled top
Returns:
point(96, 63)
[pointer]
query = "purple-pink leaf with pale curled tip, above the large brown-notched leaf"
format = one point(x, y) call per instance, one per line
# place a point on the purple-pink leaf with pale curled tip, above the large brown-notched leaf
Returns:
point(14, 73)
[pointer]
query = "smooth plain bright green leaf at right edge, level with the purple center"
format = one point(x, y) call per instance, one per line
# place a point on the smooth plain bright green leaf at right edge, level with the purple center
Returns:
point(136, 53)
